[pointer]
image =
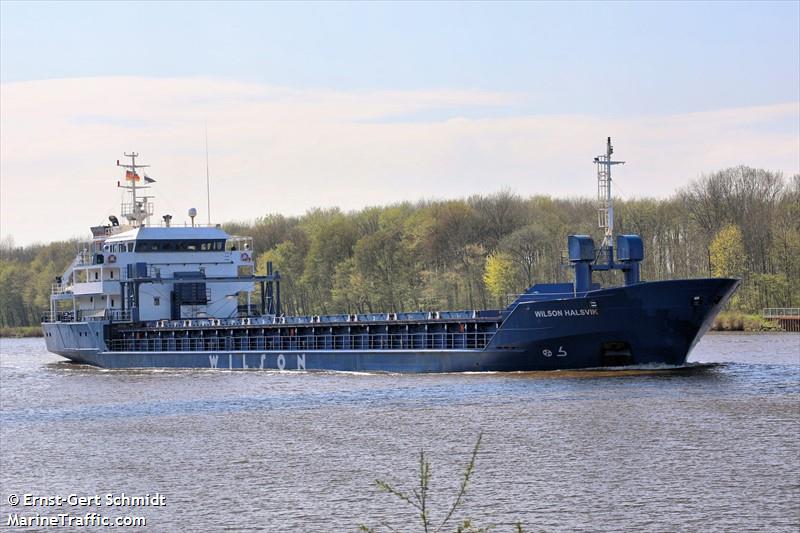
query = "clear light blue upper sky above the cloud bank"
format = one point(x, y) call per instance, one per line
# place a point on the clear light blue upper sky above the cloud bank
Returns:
point(570, 57)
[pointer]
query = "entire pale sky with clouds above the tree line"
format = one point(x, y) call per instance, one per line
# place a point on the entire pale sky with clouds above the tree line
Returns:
point(355, 104)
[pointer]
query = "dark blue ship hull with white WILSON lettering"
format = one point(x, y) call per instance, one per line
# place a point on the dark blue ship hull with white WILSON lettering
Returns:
point(649, 323)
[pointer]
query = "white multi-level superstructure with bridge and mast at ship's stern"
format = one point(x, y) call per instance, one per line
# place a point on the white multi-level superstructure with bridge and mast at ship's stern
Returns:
point(139, 272)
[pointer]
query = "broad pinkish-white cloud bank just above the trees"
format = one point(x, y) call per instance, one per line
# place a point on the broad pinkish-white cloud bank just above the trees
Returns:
point(278, 149)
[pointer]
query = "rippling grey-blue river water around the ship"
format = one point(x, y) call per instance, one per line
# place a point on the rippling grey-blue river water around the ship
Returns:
point(714, 449)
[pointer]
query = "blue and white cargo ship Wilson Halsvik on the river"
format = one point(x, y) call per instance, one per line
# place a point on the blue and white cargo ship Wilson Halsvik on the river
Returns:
point(188, 296)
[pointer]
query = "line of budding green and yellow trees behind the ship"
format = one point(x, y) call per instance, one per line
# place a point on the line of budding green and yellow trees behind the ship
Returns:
point(475, 252)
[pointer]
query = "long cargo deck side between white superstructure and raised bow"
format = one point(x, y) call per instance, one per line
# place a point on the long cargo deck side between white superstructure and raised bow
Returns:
point(452, 330)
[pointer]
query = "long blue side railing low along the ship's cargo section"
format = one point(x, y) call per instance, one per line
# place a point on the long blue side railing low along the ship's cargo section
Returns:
point(371, 341)
